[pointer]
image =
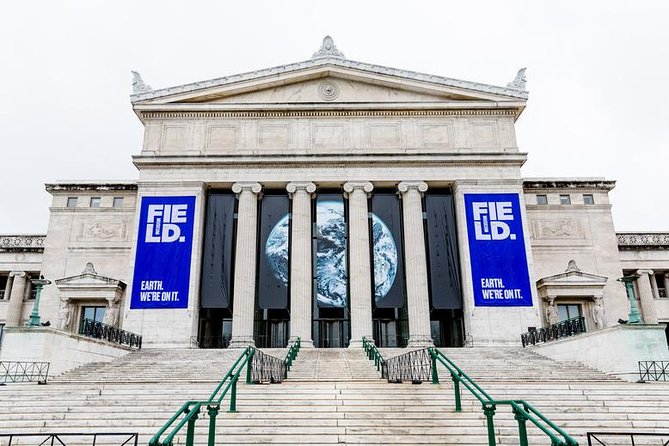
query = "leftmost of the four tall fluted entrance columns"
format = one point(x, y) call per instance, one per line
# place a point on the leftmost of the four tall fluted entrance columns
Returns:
point(245, 264)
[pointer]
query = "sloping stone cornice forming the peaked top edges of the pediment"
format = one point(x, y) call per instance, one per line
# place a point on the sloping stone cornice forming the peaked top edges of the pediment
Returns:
point(334, 63)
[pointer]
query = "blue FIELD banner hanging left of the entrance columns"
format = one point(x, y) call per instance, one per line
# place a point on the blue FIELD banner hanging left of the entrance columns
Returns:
point(164, 246)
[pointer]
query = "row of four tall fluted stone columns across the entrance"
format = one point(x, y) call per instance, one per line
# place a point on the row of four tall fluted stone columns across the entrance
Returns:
point(360, 265)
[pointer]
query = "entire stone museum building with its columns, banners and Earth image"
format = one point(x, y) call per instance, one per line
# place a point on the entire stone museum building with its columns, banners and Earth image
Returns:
point(332, 200)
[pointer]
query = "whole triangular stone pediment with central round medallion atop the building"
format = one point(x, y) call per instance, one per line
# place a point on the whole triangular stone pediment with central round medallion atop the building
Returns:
point(330, 81)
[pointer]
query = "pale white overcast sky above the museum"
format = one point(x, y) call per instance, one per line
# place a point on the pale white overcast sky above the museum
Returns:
point(597, 75)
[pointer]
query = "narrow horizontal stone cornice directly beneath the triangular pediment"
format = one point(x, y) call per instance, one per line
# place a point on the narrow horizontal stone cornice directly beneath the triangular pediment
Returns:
point(192, 112)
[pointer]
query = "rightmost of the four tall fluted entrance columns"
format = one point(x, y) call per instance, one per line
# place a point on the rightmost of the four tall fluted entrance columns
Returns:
point(415, 265)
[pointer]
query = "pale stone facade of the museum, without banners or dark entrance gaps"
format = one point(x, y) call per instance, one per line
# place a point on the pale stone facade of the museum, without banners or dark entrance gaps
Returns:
point(331, 124)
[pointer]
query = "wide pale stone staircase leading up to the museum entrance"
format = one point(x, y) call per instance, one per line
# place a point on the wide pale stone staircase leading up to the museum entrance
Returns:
point(333, 396)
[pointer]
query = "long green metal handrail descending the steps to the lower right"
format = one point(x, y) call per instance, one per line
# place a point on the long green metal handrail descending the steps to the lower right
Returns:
point(522, 410)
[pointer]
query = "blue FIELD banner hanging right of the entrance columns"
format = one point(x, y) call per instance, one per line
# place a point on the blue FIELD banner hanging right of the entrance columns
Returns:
point(497, 250)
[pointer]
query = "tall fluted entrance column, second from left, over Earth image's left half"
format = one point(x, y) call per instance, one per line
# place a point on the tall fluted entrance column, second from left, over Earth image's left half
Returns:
point(300, 262)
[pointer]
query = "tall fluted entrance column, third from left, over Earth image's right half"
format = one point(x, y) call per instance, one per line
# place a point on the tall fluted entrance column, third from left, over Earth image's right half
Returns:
point(359, 271)
